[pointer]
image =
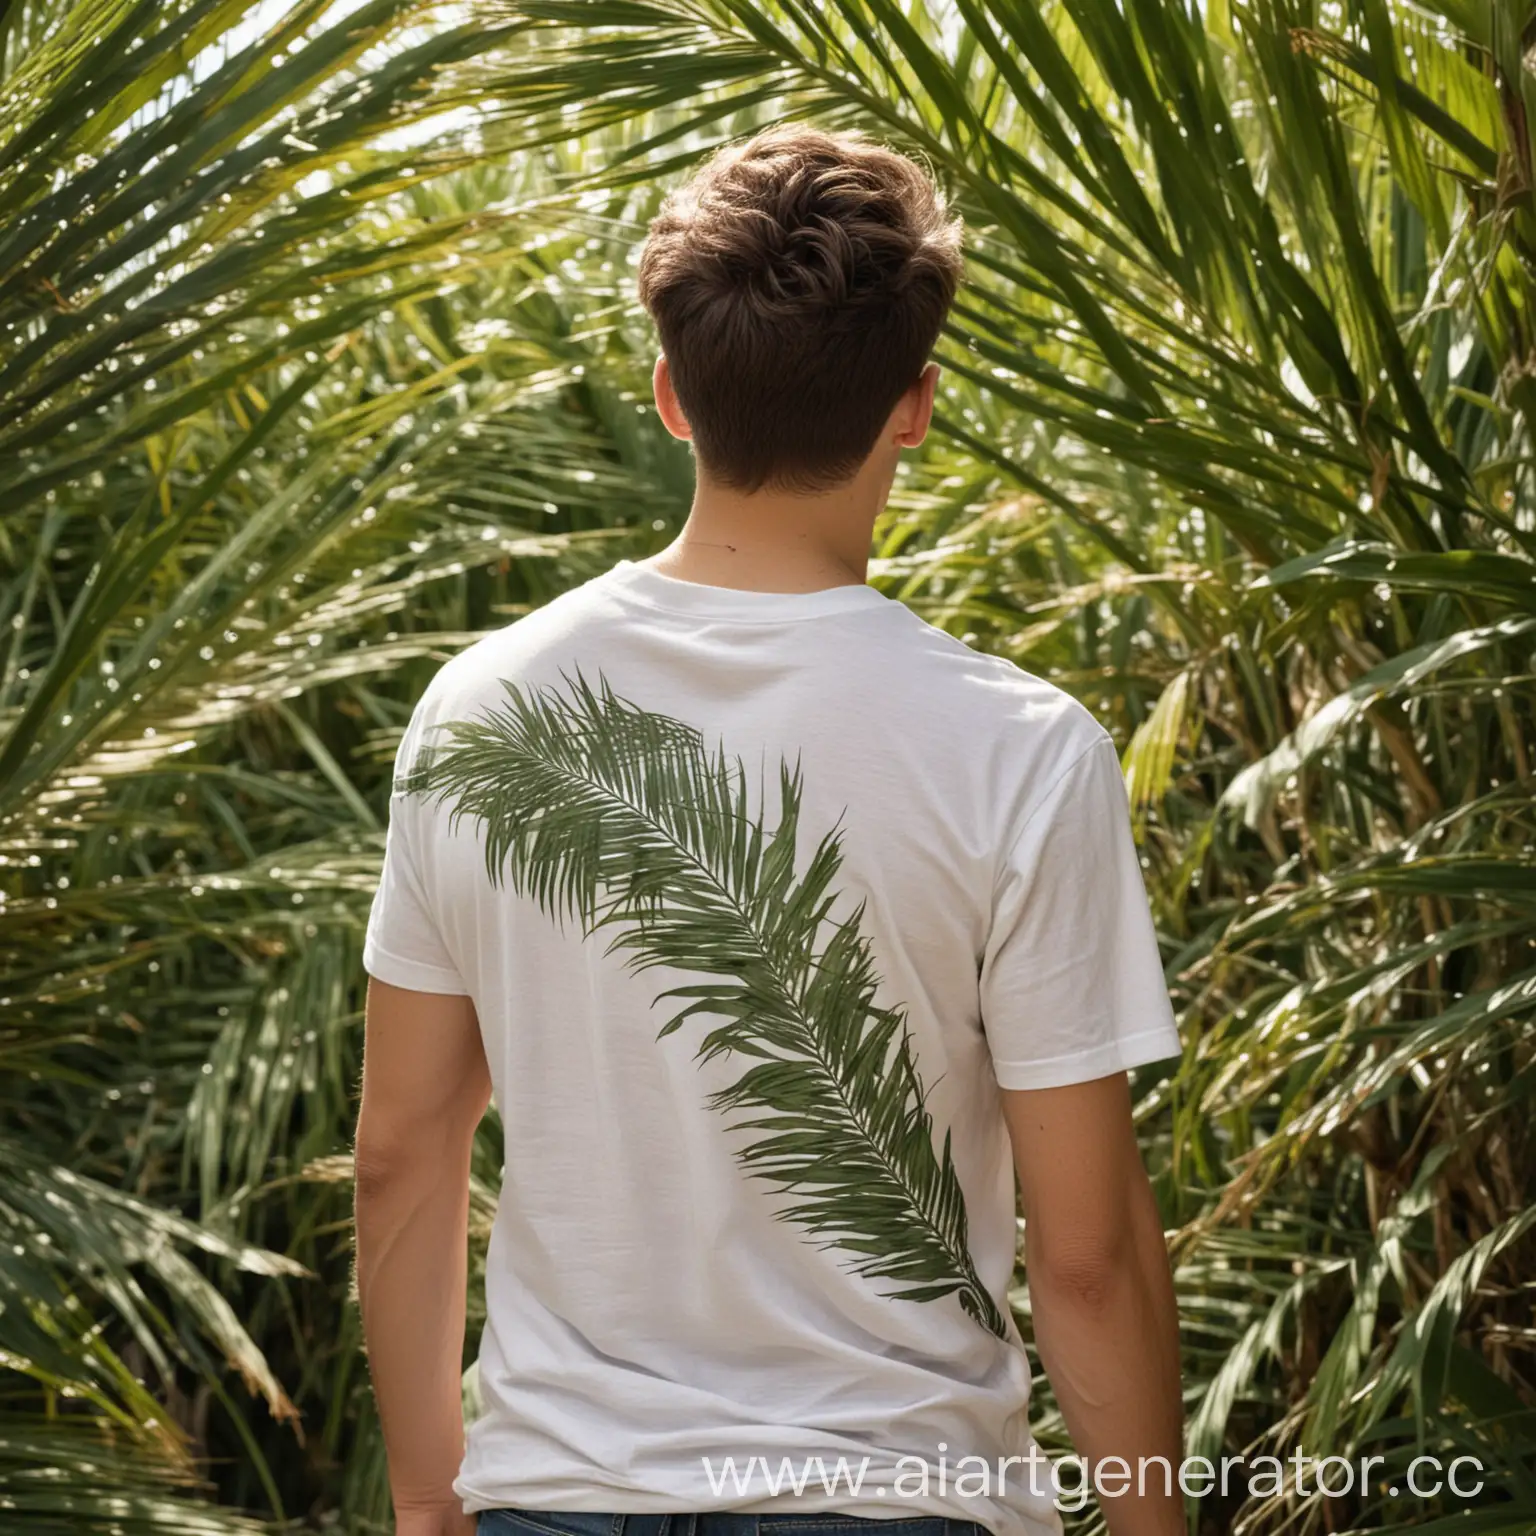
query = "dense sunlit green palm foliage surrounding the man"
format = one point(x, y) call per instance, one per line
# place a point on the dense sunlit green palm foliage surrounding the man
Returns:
point(319, 356)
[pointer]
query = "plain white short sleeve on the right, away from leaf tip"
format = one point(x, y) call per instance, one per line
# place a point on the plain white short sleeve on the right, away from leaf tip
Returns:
point(1073, 982)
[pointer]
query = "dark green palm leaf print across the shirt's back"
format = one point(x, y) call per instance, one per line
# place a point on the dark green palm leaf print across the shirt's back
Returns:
point(624, 821)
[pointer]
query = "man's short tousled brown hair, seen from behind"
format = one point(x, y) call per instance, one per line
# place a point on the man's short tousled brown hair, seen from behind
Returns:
point(799, 283)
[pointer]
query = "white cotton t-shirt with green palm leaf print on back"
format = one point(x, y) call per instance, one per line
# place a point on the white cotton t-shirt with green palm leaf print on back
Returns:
point(867, 875)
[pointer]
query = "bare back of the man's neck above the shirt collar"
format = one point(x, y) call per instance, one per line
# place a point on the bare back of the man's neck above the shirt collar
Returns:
point(776, 541)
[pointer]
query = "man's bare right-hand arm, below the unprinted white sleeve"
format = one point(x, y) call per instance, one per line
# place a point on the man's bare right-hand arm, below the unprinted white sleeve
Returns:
point(1101, 1289)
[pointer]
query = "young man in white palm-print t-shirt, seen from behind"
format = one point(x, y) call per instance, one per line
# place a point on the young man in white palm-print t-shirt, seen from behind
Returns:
point(783, 927)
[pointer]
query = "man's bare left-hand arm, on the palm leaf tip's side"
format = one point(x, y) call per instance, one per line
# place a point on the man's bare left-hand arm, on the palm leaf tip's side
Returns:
point(425, 1090)
